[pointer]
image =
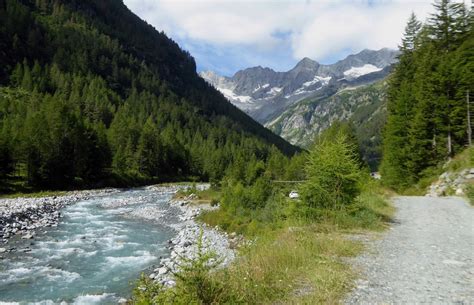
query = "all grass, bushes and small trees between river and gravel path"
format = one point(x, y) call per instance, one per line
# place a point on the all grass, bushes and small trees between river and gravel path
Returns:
point(298, 244)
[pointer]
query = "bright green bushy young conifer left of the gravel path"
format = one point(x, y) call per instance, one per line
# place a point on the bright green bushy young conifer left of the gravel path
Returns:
point(333, 173)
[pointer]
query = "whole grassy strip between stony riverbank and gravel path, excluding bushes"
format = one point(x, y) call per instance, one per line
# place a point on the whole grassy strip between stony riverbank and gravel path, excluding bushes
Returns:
point(294, 261)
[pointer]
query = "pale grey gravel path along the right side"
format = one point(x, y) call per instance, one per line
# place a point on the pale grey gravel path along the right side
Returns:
point(427, 257)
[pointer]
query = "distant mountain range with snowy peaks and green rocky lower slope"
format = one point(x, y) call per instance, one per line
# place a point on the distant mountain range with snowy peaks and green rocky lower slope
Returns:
point(300, 103)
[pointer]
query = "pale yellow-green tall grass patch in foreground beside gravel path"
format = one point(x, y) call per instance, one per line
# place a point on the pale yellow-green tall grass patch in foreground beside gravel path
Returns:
point(291, 266)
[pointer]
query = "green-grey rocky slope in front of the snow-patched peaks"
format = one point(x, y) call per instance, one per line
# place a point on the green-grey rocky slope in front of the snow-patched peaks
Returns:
point(364, 106)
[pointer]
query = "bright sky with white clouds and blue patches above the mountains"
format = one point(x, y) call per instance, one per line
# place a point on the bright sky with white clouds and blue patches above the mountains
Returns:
point(228, 35)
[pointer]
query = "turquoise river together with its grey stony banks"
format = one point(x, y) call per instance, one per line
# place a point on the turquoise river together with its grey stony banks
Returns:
point(96, 243)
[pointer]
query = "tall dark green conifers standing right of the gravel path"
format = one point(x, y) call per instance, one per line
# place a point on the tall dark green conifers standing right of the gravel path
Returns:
point(427, 95)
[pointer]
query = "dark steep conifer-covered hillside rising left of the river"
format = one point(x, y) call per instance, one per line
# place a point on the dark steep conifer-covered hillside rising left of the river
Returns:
point(90, 94)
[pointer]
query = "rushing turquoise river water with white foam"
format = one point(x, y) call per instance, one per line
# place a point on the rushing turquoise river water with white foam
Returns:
point(94, 255)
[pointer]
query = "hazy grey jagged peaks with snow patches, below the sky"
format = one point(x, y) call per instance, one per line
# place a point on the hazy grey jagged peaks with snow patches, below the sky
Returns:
point(265, 94)
